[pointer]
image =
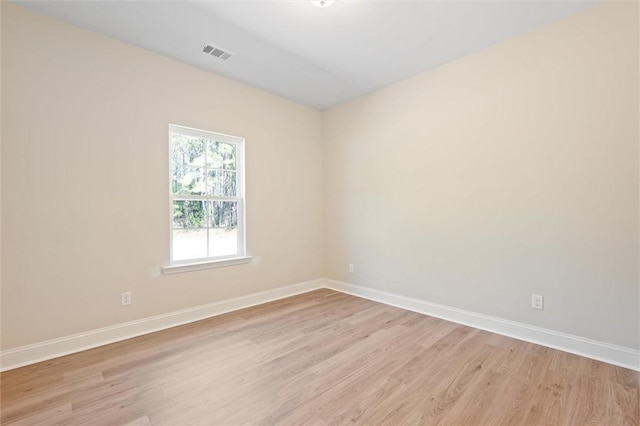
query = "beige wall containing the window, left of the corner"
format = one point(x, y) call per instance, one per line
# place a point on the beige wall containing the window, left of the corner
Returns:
point(85, 180)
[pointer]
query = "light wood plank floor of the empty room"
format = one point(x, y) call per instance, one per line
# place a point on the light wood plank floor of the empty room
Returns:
point(321, 358)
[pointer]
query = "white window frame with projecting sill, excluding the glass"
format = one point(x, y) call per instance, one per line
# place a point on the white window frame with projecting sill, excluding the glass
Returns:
point(185, 265)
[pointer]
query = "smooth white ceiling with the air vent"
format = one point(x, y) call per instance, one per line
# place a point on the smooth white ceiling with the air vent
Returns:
point(319, 57)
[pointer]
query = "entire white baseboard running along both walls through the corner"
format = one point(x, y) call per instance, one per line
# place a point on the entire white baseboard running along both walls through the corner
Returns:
point(41, 351)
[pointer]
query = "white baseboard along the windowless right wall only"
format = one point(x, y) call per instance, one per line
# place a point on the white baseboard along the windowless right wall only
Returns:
point(612, 354)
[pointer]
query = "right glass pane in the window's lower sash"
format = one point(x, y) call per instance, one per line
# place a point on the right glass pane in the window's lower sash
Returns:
point(223, 232)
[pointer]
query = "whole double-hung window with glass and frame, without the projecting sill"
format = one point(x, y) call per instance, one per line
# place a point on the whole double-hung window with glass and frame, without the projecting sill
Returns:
point(206, 195)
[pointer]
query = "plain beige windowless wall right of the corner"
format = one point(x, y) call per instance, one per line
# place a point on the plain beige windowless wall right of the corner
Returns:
point(508, 172)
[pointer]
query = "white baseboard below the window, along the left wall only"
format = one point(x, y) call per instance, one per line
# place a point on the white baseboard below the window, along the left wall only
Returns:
point(41, 351)
